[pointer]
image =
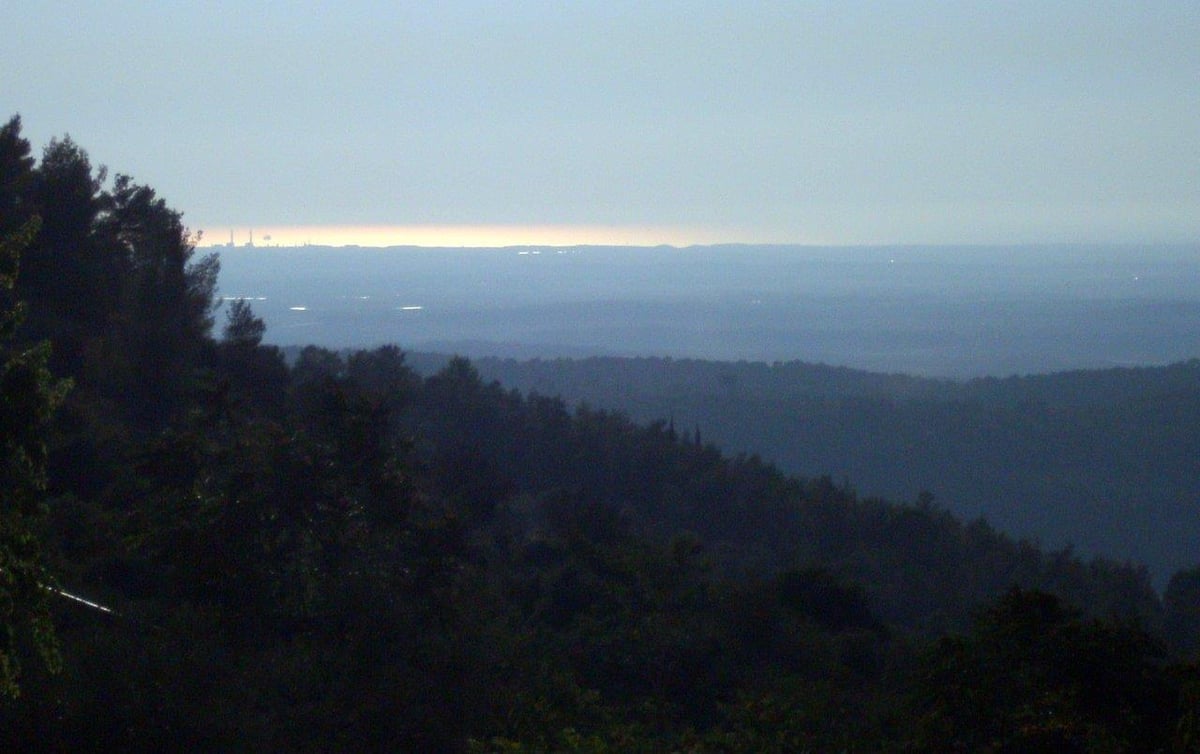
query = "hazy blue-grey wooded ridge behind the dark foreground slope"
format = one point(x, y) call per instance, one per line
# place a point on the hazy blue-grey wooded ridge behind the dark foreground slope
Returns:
point(1105, 460)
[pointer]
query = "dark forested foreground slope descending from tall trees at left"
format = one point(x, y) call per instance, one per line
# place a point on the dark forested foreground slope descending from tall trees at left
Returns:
point(334, 553)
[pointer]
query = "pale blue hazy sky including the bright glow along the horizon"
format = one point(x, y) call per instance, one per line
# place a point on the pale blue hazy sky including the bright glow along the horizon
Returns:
point(631, 123)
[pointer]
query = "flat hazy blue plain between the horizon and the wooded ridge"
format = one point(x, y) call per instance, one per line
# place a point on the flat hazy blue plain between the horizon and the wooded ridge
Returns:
point(939, 312)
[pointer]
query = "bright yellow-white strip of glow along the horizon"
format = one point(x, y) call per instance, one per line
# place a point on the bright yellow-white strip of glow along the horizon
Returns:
point(478, 236)
